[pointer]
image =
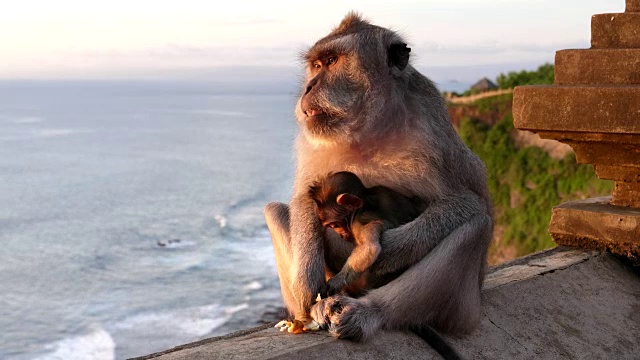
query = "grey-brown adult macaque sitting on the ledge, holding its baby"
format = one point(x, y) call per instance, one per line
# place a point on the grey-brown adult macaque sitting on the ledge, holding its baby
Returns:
point(365, 109)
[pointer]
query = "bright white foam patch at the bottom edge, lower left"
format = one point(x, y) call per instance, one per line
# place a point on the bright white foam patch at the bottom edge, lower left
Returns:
point(95, 345)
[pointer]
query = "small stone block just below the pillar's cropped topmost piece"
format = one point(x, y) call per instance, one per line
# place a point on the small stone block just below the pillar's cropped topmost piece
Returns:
point(615, 30)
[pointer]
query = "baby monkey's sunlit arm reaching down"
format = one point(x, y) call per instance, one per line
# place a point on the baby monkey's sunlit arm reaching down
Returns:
point(365, 252)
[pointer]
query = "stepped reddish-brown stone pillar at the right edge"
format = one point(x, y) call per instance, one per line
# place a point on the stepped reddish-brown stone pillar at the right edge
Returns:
point(594, 106)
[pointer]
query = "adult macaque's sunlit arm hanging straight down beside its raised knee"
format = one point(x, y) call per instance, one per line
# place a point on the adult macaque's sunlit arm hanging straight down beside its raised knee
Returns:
point(308, 254)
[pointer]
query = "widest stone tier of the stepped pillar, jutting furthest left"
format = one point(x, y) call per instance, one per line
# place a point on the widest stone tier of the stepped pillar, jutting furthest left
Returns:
point(604, 109)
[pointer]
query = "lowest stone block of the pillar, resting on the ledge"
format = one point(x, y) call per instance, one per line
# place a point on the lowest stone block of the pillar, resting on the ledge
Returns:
point(596, 224)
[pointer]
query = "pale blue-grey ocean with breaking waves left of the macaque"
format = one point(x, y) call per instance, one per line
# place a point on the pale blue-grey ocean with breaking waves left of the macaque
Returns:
point(131, 214)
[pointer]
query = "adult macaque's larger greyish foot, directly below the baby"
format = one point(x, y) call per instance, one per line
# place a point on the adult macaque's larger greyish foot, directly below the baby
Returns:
point(346, 317)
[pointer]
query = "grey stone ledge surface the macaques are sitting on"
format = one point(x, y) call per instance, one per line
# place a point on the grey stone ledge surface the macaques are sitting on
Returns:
point(559, 303)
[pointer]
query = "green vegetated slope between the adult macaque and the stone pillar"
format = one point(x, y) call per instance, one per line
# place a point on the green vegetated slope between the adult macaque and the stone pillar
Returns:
point(525, 183)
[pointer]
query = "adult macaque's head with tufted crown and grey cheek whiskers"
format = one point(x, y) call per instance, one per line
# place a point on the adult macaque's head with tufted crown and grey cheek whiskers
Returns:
point(349, 91)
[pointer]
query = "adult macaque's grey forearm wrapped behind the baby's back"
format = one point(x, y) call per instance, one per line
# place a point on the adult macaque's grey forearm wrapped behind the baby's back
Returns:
point(406, 245)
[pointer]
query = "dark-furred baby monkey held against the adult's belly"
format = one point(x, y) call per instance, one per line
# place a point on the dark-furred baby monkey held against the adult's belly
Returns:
point(360, 215)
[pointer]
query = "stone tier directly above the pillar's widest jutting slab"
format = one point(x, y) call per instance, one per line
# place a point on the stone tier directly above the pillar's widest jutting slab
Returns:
point(597, 67)
